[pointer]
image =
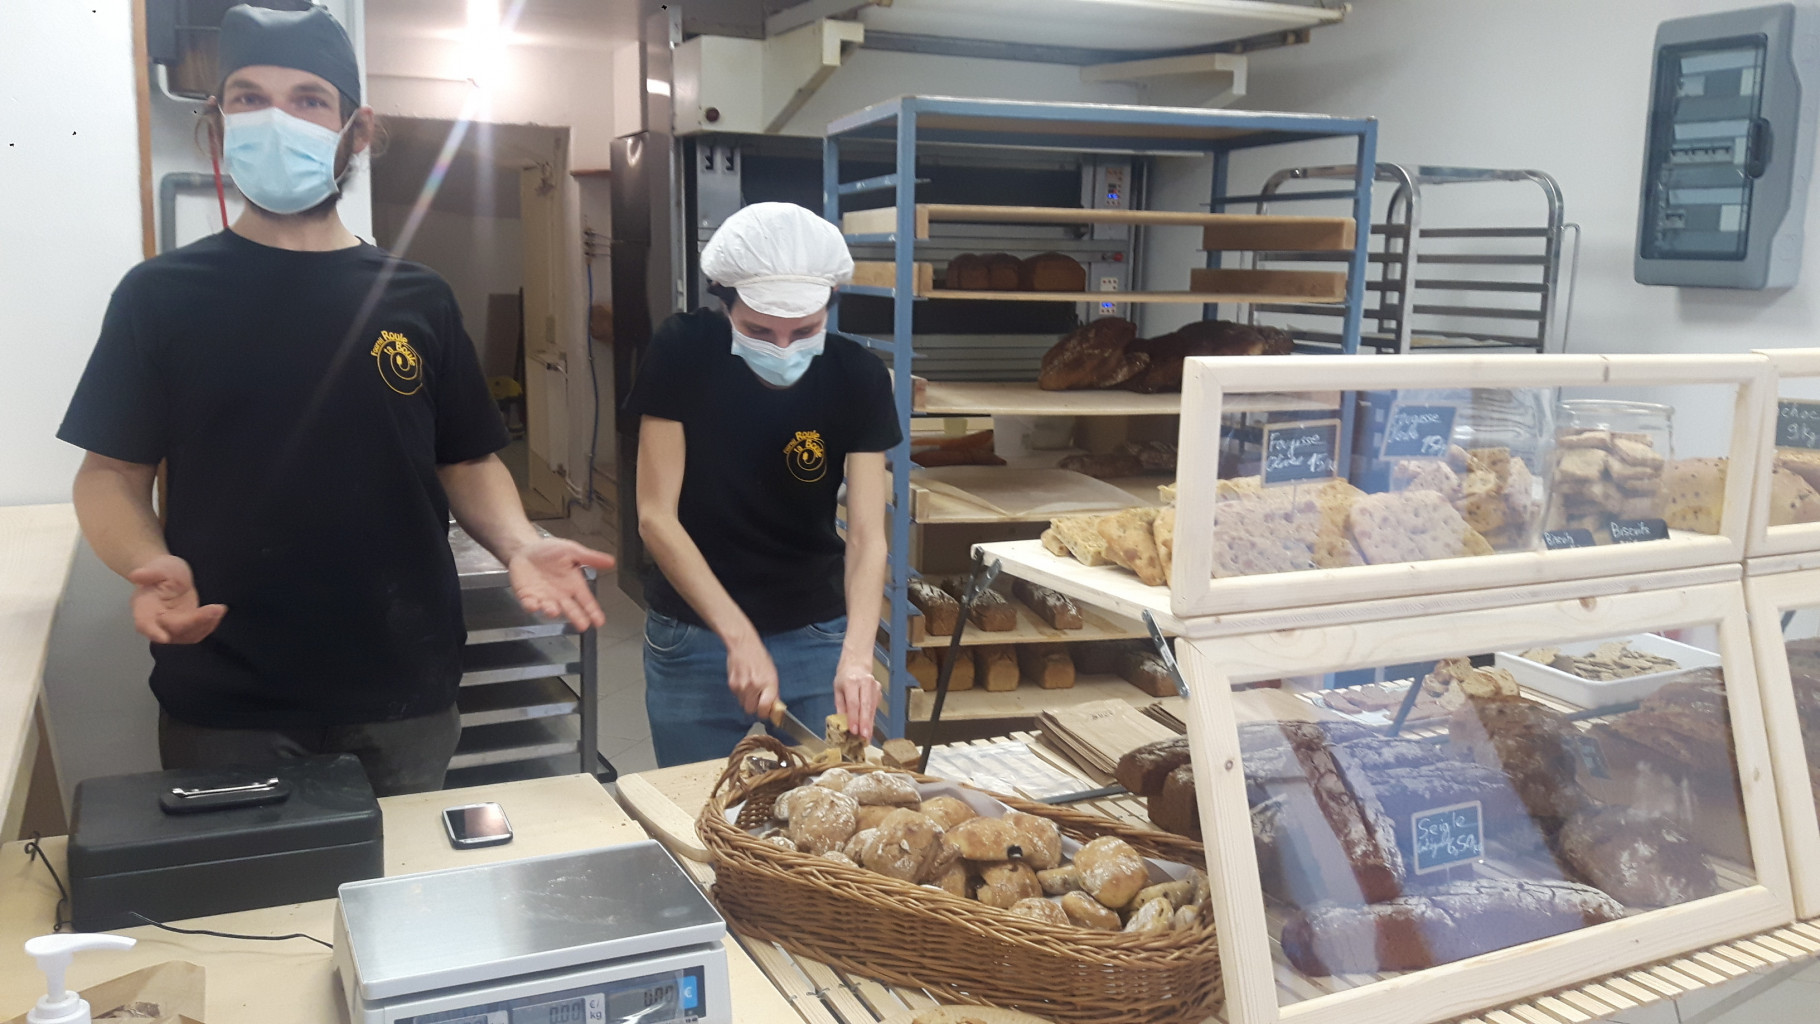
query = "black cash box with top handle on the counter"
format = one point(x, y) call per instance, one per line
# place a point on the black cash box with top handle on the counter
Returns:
point(194, 843)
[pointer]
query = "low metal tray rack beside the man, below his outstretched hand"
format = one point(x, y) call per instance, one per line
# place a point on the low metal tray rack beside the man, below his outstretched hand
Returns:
point(516, 701)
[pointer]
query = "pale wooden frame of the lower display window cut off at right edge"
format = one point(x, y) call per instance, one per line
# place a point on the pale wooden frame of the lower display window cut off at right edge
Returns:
point(1770, 597)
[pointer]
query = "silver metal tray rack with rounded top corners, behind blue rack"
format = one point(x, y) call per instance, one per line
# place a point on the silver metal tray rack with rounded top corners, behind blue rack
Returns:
point(1488, 288)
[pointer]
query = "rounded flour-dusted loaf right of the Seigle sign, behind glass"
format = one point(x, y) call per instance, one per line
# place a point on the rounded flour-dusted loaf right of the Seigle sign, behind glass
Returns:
point(1639, 859)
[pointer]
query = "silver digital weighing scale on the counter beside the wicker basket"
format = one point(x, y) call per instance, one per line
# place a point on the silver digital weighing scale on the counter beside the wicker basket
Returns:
point(612, 936)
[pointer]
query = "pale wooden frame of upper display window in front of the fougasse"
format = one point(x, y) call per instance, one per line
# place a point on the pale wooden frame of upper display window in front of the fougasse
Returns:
point(1206, 392)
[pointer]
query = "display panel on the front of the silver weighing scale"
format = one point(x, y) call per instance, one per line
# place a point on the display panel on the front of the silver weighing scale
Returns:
point(669, 998)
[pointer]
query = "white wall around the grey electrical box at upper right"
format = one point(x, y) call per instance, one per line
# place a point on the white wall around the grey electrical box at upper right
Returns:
point(1553, 85)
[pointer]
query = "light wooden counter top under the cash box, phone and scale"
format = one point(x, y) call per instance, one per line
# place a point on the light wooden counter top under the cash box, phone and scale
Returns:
point(285, 983)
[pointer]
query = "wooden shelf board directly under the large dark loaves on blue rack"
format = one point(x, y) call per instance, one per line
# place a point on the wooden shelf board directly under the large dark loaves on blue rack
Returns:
point(1026, 399)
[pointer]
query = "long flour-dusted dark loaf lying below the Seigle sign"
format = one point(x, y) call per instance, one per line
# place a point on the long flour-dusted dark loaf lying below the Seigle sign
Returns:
point(1441, 927)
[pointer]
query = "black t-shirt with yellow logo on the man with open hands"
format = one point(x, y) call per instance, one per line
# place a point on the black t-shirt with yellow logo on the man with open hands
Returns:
point(303, 403)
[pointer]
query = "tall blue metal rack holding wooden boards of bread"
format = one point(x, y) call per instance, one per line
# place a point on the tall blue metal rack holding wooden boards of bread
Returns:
point(913, 123)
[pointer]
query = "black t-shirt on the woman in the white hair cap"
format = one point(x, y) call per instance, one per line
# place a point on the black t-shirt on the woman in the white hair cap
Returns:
point(763, 470)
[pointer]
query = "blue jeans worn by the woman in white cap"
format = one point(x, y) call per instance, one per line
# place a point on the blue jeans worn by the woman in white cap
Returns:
point(696, 718)
